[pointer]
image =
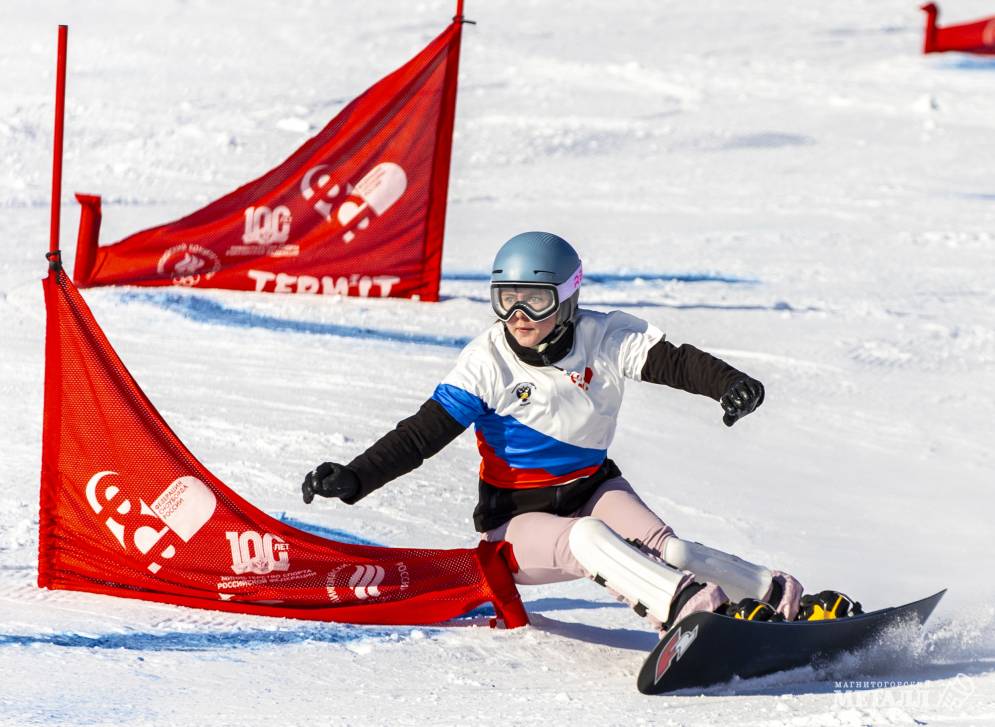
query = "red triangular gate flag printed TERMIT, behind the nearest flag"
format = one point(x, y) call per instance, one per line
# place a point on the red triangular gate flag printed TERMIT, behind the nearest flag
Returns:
point(359, 209)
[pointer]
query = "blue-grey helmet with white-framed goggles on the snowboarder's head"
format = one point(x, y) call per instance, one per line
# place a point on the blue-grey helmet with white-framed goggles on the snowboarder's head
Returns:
point(544, 263)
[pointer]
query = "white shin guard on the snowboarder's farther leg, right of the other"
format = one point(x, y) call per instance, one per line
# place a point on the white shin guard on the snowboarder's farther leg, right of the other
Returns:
point(738, 578)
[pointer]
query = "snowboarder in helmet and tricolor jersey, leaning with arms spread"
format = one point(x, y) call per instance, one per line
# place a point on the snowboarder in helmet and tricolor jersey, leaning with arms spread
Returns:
point(543, 386)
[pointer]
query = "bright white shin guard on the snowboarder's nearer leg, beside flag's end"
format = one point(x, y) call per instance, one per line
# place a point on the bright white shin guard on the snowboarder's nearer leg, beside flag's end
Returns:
point(625, 569)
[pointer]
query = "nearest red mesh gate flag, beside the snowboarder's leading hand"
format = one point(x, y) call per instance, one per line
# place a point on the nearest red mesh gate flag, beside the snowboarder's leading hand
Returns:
point(127, 510)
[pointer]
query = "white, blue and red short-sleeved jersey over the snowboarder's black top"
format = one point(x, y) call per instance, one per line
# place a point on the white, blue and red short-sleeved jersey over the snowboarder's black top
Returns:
point(538, 426)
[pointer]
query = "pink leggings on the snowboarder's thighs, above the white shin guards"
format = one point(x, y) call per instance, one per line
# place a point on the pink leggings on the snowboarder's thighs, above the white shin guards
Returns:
point(541, 541)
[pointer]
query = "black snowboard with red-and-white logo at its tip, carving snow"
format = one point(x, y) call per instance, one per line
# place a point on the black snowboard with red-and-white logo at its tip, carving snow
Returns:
point(705, 648)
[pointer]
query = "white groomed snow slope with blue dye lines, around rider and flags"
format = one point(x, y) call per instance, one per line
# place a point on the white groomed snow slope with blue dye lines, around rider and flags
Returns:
point(788, 185)
